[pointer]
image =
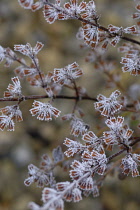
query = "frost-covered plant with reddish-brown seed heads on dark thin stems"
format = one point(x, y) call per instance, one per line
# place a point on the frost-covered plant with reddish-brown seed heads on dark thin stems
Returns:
point(90, 162)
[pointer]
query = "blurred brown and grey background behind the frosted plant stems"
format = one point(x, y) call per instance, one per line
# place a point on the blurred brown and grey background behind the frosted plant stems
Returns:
point(33, 138)
